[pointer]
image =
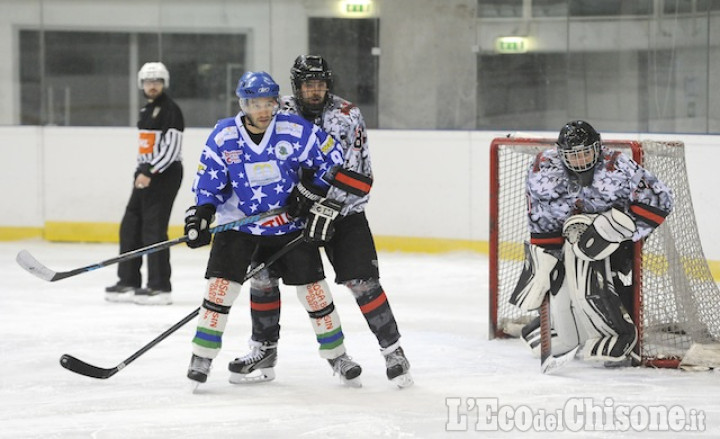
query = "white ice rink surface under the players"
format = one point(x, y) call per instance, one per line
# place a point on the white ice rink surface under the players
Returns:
point(440, 302)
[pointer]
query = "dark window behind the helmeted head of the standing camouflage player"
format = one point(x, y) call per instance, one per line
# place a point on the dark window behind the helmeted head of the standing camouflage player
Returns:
point(347, 45)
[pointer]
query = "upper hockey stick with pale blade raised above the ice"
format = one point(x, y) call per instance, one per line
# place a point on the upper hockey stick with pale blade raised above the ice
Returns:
point(34, 267)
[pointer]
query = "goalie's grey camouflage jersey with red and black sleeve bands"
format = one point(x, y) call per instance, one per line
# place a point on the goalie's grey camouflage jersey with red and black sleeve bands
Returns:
point(617, 182)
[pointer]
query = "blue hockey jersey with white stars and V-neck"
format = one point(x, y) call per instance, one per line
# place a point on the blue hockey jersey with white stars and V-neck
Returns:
point(241, 178)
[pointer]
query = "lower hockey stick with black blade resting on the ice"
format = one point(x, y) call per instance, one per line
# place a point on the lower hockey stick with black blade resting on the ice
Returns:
point(80, 367)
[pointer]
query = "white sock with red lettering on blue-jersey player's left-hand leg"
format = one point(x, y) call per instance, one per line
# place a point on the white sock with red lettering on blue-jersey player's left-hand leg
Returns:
point(220, 294)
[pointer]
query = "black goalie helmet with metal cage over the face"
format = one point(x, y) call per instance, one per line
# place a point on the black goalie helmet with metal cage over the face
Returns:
point(579, 146)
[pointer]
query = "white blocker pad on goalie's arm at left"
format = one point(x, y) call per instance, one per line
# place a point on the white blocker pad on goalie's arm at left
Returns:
point(540, 271)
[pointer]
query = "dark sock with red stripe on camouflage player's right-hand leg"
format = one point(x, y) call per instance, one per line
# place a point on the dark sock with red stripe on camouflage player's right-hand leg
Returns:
point(373, 303)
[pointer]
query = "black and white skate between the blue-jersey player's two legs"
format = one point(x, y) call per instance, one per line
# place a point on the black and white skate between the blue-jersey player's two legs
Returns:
point(257, 366)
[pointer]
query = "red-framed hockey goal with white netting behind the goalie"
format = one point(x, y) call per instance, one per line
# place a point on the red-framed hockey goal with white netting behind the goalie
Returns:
point(676, 300)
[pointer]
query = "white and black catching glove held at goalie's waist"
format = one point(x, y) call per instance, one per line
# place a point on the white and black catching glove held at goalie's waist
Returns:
point(594, 238)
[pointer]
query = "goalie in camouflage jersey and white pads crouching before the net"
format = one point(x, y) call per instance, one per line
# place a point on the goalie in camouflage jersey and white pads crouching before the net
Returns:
point(586, 206)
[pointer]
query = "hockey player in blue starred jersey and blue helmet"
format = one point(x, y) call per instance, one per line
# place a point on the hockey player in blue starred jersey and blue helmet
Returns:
point(251, 164)
